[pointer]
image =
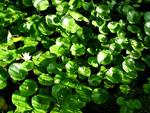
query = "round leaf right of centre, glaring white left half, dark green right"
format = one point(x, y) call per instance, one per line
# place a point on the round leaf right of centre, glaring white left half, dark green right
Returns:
point(104, 57)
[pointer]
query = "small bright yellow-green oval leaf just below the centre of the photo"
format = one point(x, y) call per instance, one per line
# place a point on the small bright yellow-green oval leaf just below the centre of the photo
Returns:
point(85, 71)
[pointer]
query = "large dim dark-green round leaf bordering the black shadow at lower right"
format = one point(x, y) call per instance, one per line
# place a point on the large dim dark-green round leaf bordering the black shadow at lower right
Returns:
point(99, 96)
